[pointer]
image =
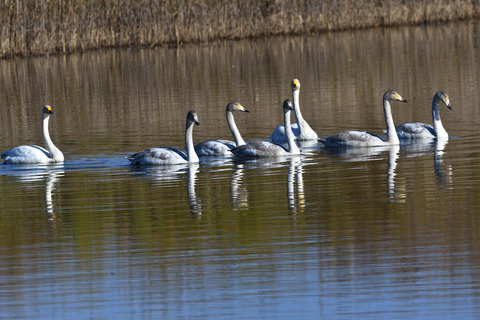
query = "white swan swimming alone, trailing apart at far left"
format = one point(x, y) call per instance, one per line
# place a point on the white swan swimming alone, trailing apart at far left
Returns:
point(36, 154)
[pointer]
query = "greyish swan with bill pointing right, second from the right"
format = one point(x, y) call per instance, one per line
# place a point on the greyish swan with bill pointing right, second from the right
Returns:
point(366, 139)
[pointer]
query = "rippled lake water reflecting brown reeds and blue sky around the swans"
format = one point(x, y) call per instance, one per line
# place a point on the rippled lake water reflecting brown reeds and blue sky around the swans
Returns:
point(386, 233)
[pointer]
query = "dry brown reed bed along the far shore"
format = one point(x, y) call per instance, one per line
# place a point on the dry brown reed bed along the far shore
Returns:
point(42, 27)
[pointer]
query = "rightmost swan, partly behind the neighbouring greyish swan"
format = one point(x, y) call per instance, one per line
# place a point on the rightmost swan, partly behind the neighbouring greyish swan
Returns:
point(418, 130)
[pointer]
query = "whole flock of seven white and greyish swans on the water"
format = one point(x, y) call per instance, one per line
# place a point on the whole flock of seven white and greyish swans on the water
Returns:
point(283, 140)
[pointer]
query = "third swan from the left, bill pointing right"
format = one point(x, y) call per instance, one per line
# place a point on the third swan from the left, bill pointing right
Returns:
point(222, 147)
